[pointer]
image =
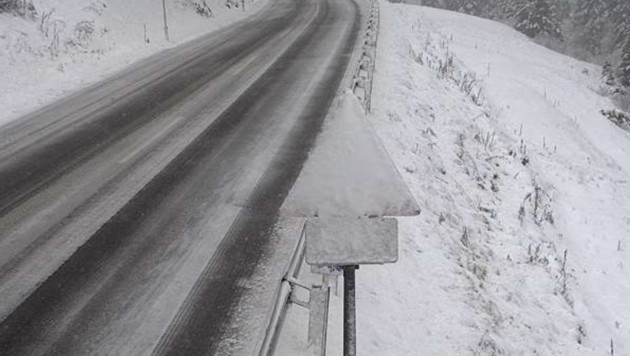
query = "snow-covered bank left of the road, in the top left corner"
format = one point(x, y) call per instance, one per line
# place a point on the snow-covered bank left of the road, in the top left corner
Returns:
point(73, 43)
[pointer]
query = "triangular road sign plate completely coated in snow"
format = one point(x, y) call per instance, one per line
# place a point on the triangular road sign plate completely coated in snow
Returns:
point(349, 173)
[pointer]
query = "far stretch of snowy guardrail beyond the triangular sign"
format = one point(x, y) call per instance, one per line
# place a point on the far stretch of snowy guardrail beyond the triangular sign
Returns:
point(362, 82)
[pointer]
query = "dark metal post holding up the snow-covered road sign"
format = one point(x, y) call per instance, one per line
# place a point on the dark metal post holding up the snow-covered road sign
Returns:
point(349, 312)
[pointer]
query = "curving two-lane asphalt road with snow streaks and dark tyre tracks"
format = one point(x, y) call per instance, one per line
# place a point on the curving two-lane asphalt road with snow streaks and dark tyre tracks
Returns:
point(133, 213)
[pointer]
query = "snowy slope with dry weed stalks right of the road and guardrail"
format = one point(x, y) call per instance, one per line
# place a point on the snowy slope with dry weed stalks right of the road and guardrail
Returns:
point(523, 246)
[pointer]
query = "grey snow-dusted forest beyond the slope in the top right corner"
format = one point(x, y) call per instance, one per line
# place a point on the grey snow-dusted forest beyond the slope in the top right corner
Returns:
point(597, 31)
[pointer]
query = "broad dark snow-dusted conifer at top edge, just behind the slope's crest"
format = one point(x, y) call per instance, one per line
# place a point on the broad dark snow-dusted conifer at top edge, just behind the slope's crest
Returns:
point(535, 17)
